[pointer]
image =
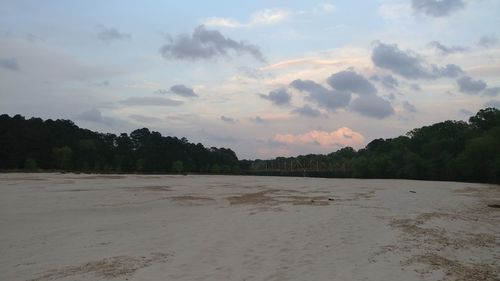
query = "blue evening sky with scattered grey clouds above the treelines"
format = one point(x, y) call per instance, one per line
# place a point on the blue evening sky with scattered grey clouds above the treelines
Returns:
point(264, 78)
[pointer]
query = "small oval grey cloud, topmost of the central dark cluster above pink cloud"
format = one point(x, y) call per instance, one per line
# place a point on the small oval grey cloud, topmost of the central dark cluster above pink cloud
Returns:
point(350, 81)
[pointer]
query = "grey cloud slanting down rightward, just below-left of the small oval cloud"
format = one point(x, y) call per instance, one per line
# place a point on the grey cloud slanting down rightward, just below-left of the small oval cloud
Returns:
point(329, 99)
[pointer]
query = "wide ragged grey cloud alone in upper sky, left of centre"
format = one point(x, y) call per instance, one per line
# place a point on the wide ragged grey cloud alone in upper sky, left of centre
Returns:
point(206, 44)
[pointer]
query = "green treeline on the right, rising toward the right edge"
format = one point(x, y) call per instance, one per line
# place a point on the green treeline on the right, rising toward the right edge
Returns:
point(450, 150)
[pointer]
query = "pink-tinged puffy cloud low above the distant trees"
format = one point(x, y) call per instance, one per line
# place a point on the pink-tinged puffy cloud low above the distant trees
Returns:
point(341, 137)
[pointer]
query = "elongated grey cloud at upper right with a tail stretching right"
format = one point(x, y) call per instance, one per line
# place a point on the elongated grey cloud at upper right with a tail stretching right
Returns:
point(408, 64)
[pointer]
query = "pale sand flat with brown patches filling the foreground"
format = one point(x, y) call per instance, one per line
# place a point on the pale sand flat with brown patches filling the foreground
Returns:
point(136, 227)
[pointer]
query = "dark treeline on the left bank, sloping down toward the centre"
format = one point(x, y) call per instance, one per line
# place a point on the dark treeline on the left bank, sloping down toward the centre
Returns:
point(34, 144)
